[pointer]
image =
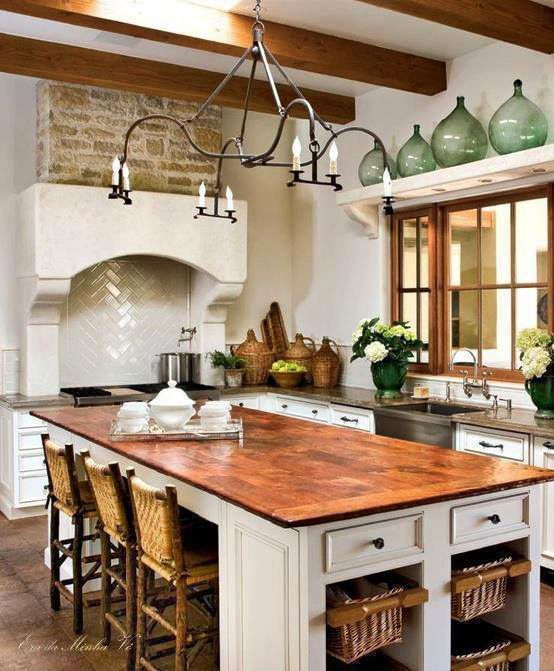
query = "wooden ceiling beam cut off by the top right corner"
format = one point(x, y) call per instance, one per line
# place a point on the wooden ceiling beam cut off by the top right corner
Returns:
point(522, 22)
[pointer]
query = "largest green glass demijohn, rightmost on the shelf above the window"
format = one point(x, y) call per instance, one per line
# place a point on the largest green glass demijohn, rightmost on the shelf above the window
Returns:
point(518, 124)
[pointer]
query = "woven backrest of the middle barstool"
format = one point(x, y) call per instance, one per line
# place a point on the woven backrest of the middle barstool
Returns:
point(111, 497)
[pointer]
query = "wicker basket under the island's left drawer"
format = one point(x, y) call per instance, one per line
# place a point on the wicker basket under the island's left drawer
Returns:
point(350, 642)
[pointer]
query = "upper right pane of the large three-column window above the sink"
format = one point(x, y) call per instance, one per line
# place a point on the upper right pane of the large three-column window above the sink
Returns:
point(532, 241)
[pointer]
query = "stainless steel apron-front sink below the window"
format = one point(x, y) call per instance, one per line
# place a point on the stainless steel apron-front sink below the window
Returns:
point(426, 422)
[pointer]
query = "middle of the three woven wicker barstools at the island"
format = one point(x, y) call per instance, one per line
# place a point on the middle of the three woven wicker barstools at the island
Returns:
point(117, 540)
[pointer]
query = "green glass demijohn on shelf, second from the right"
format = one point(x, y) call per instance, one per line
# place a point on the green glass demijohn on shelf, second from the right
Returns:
point(460, 138)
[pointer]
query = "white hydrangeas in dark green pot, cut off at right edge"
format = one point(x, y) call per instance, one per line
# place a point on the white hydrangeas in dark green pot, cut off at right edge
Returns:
point(537, 365)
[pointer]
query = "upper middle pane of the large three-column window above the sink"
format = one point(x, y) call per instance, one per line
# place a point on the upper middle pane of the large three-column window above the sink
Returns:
point(496, 244)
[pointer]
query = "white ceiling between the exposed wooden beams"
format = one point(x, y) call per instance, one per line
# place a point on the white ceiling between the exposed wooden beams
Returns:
point(345, 18)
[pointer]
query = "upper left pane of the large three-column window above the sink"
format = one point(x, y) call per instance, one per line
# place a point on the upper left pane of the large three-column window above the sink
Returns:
point(463, 248)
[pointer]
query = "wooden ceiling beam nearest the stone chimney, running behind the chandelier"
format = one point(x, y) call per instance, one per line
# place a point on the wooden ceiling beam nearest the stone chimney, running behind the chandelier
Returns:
point(49, 60)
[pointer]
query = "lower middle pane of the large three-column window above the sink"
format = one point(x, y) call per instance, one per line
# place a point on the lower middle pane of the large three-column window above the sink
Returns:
point(496, 330)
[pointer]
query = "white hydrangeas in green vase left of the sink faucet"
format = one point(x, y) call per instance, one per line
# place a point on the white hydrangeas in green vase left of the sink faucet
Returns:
point(389, 348)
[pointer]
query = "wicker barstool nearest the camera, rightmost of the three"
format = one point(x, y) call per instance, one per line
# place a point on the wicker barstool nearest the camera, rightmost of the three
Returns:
point(186, 559)
